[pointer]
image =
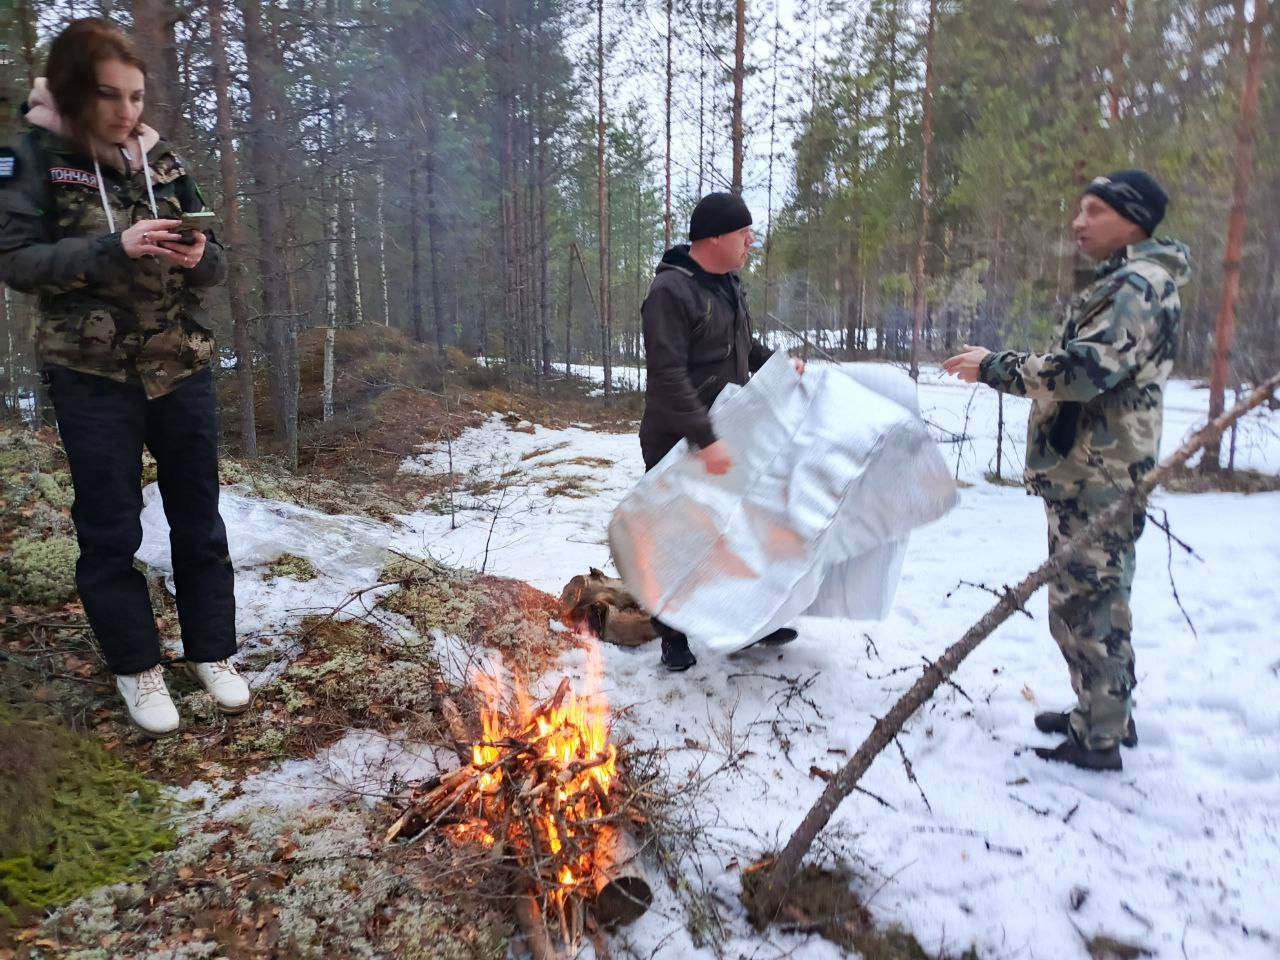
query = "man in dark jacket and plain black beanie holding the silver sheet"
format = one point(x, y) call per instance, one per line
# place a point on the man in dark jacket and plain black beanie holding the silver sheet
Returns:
point(698, 339)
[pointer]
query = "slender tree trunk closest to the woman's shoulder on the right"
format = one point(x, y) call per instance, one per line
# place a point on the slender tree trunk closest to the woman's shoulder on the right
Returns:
point(237, 280)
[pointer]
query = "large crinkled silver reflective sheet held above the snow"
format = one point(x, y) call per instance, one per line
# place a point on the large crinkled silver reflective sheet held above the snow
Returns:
point(831, 473)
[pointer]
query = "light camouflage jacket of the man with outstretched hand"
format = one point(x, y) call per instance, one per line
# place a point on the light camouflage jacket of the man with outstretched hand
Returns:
point(1099, 399)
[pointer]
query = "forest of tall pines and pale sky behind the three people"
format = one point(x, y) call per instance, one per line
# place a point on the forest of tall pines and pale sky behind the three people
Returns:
point(500, 177)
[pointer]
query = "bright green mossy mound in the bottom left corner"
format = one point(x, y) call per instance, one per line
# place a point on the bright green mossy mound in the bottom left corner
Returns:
point(72, 819)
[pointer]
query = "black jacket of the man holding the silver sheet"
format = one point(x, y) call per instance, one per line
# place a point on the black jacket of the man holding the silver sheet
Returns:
point(698, 339)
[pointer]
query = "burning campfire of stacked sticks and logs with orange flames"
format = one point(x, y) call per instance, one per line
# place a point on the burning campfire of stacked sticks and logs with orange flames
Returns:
point(540, 794)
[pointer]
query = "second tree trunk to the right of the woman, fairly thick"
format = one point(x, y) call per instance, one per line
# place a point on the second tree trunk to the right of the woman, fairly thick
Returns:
point(268, 162)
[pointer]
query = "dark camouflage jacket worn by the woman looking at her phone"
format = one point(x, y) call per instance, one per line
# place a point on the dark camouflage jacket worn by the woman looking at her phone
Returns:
point(136, 322)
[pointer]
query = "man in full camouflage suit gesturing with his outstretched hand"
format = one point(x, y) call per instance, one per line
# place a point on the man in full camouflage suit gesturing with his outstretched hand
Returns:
point(1094, 432)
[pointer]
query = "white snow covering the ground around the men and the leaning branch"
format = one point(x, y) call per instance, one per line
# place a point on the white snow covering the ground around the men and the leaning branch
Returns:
point(1023, 860)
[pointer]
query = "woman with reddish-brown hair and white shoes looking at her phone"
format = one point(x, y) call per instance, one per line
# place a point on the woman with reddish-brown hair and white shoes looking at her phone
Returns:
point(92, 220)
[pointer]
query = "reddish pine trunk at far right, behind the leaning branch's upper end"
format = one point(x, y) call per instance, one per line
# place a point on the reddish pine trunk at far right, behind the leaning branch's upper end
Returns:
point(1224, 332)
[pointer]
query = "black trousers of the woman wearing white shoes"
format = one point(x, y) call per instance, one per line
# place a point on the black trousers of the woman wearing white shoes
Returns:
point(104, 426)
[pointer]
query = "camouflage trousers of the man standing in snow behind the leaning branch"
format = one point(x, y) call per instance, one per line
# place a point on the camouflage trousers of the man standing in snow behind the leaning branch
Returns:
point(1090, 619)
